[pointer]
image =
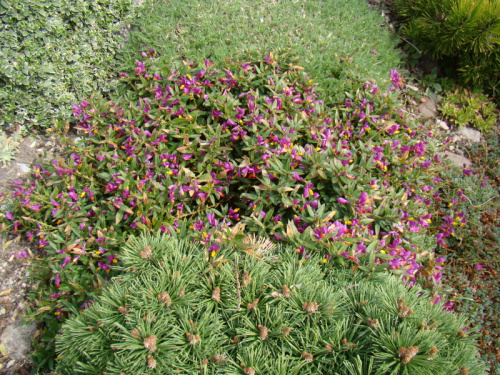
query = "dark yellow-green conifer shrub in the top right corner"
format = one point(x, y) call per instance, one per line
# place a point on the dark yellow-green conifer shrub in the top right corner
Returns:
point(467, 31)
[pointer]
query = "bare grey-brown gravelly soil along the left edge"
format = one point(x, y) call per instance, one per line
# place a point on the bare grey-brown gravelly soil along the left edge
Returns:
point(16, 256)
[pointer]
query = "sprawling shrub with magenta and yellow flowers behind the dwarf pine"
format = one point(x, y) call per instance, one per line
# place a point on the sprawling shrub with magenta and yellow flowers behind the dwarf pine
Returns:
point(248, 148)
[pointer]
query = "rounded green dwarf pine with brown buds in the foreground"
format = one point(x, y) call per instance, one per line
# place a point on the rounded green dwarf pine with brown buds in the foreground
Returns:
point(176, 309)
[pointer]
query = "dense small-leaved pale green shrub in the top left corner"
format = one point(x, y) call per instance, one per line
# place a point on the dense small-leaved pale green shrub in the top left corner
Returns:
point(55, 53)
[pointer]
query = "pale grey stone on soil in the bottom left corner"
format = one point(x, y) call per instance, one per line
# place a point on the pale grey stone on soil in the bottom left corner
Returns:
point(16, 338)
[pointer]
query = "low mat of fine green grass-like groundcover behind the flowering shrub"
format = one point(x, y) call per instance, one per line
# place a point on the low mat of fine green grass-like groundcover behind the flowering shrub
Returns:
point(339, 42)
